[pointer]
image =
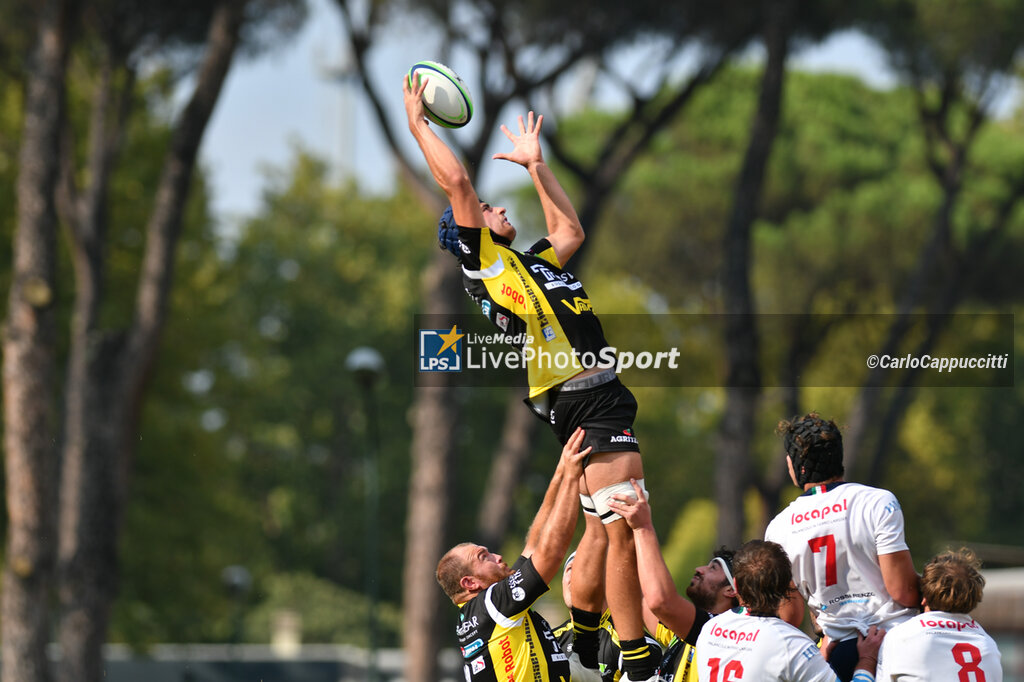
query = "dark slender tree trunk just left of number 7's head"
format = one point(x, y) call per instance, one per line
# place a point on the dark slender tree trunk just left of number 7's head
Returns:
point(734, 461)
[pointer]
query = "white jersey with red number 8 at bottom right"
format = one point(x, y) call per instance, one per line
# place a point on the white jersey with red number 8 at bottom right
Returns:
point(937, 647)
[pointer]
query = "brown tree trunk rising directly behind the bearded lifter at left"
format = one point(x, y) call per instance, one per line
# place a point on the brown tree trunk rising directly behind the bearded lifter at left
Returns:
point(435, 424)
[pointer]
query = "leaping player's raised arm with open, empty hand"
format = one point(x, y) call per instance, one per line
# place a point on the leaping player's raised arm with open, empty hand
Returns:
point(565, 231)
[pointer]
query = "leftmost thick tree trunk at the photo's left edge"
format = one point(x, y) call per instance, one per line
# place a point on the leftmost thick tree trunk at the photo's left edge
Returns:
point(30, 362)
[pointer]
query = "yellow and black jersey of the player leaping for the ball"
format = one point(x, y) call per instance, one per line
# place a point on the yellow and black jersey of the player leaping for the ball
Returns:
point(530, 295)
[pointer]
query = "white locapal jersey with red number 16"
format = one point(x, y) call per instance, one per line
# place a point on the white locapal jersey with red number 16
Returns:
point(739, 648)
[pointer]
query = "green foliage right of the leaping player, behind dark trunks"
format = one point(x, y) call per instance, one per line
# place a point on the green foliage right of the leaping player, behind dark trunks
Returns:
point(847, 208)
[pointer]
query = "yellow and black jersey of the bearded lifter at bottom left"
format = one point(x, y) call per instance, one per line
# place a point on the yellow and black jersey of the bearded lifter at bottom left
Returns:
point(503, 640)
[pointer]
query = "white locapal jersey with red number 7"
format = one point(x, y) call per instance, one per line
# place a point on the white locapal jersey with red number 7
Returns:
point(834, 535)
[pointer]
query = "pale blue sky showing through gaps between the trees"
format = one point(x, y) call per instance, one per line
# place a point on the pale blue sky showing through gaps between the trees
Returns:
point(288, 99)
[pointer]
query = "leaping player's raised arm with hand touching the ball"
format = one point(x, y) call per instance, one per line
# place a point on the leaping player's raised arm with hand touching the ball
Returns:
point(448, 172)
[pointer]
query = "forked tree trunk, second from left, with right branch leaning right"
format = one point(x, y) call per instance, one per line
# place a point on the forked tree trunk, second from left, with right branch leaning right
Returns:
point(108, 374)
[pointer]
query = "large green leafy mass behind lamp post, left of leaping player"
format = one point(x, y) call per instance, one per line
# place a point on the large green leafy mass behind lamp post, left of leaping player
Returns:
point(321, 273)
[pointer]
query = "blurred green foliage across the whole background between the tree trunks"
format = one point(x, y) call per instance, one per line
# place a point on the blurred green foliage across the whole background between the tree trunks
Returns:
point(255, 438)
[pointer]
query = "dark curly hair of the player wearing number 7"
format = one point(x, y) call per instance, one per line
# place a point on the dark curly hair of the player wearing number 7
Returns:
point(816, 446)
